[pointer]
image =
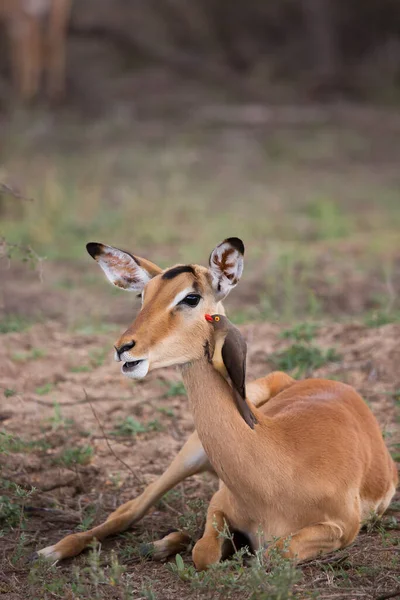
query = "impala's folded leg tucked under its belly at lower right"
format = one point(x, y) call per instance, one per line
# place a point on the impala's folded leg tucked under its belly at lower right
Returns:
point(311, 541)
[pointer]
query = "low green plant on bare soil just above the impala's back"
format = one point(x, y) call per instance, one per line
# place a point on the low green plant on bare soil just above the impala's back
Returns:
point(303, 358)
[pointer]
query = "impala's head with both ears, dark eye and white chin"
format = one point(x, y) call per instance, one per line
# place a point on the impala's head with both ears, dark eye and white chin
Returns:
point(170, 328)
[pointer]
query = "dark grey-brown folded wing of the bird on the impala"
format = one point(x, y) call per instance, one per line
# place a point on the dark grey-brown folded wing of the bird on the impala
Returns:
point(234, 352)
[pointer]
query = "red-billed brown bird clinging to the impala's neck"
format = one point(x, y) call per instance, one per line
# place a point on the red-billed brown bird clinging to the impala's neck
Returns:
point(229, 359)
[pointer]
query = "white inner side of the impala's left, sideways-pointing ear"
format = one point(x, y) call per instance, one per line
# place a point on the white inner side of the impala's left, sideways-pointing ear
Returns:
point(122, 270)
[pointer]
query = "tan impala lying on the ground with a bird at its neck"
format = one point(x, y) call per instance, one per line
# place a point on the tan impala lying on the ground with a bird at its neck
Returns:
point(314, 466)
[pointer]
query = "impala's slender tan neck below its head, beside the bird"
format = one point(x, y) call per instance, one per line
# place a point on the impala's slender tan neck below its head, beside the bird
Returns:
point(230, 444)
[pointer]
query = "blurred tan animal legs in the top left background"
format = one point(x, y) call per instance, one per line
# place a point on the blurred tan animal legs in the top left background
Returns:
point(37, 38)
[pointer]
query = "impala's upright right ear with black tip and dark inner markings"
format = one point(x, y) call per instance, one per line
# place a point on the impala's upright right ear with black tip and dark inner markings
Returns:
point(226, 266)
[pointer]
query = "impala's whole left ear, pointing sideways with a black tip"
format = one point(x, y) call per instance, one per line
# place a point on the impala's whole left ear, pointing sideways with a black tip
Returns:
point(124, 270)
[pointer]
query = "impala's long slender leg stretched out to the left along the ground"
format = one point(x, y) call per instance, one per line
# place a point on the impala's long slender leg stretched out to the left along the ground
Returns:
point(190, 460)
